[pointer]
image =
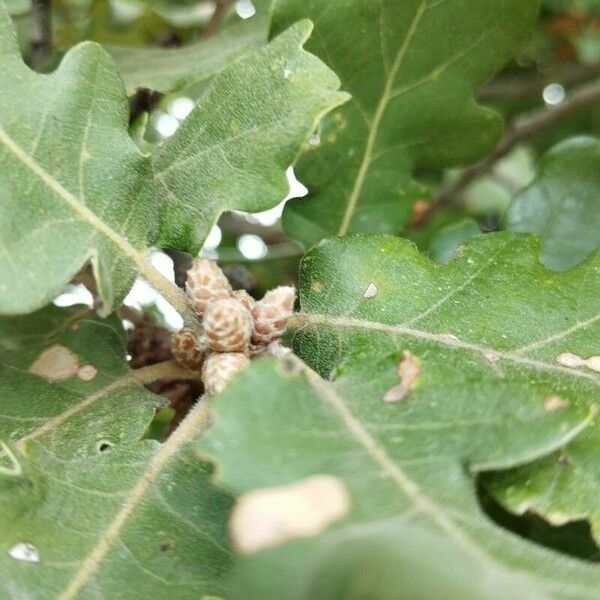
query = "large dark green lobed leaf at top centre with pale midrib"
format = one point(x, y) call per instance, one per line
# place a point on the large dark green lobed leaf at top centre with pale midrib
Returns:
point(412, 68)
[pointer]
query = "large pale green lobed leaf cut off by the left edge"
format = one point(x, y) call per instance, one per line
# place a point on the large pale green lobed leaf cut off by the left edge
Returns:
point(73, 184)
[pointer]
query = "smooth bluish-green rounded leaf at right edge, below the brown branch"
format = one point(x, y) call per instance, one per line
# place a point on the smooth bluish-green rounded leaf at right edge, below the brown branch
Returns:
point(563, 204)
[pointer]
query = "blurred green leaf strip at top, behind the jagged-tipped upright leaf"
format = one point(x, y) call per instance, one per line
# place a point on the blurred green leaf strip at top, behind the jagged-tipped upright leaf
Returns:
point(167, 69)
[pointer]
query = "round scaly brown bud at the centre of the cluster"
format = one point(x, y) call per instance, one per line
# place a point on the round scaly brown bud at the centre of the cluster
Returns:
point(228, 326)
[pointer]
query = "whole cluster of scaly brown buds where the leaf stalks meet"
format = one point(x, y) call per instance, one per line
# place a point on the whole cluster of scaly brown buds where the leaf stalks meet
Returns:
point(235, 327)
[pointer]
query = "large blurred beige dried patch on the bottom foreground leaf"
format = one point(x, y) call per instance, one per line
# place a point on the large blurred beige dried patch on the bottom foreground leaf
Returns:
point(268, 517)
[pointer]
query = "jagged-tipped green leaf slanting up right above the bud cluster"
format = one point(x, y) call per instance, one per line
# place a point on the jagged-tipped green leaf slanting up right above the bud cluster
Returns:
point(233, 150)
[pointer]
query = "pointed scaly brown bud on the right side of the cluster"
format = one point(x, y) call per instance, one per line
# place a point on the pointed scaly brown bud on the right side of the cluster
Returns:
point(271, 315)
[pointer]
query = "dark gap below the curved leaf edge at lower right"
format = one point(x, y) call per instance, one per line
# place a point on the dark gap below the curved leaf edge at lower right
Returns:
point(574, 539)
